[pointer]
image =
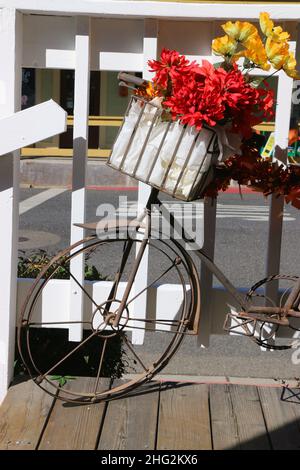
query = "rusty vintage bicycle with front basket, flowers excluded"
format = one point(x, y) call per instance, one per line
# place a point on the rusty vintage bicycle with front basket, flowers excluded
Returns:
point(119, 247)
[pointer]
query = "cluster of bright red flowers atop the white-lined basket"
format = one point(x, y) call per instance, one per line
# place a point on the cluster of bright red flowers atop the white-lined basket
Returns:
point(203, 94)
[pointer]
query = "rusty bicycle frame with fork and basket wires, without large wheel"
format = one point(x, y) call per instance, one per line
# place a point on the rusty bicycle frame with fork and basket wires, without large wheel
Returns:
point(250, 313)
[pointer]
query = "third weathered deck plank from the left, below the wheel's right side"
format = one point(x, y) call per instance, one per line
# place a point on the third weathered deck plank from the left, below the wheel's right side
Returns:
point(130, 423)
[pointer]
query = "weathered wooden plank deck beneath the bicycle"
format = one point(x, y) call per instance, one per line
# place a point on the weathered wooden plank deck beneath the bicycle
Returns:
point(164, 415)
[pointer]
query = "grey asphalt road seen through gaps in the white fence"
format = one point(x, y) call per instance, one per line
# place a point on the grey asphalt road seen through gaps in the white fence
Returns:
point(241, 243)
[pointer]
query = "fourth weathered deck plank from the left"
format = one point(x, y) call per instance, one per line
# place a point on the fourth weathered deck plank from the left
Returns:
point(184, 418)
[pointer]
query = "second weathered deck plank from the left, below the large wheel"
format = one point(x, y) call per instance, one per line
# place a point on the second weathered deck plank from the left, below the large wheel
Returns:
point(72, 426)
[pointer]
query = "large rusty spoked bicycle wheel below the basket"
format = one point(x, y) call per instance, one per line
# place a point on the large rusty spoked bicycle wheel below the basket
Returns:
point(54, 362)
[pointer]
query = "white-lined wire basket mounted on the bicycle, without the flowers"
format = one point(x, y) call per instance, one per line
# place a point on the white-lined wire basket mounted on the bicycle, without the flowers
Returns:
point(174, 158)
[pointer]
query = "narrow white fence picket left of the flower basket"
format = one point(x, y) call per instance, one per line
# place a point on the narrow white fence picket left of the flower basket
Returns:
point(80, 146)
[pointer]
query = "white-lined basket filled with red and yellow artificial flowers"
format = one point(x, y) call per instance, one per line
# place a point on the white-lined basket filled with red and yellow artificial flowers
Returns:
point(192, 116)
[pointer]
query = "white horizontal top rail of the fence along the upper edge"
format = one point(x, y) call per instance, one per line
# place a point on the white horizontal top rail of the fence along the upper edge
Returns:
point(193, 9)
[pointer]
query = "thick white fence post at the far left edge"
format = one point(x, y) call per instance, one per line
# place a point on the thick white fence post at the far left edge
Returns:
point(10, 99)
